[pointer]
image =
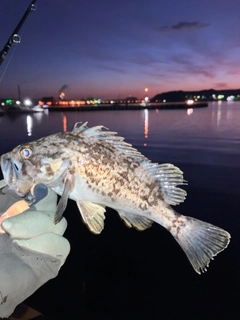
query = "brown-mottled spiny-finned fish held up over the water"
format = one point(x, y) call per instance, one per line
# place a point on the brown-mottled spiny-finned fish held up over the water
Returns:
point(96, 168)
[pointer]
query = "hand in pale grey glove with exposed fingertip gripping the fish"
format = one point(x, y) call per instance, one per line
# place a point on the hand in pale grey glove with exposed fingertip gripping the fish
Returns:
point(32, 248)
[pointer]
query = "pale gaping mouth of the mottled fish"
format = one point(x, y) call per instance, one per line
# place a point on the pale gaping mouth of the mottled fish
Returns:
point(11, 173)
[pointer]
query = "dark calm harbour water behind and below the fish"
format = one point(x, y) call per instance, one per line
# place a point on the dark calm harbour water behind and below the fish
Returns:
point(125, 274)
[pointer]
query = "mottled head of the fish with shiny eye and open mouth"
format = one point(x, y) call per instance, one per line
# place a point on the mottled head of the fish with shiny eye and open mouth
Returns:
point(36, 162)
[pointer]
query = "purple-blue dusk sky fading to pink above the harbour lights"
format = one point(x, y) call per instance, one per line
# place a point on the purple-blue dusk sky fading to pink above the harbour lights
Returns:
point(113, 49)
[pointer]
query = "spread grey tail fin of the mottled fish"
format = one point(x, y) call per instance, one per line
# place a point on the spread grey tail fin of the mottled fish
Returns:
point(200, 241)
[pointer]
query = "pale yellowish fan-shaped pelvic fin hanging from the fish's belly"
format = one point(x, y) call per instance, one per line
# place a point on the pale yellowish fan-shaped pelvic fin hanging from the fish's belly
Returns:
point(93, 215)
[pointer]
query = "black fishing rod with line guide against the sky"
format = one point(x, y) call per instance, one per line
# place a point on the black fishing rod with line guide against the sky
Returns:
point(15, 38)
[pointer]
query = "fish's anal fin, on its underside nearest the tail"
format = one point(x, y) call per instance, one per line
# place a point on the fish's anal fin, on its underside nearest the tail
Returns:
point(139, 223)
